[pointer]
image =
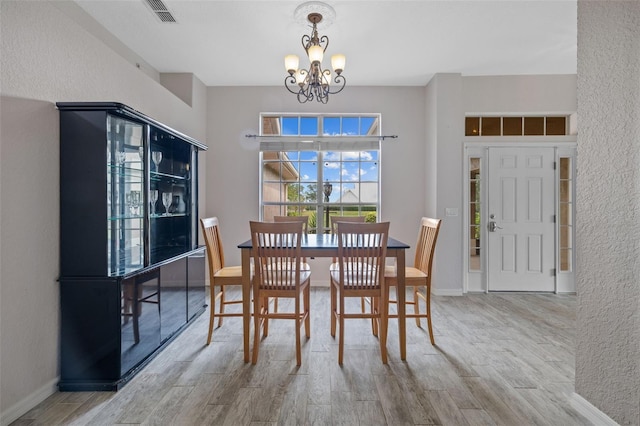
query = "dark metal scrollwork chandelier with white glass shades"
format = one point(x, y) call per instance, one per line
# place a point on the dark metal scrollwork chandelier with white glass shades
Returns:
point(314, 82)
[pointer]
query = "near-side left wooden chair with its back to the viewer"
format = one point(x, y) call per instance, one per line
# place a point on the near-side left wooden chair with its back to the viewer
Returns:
point(277, 253)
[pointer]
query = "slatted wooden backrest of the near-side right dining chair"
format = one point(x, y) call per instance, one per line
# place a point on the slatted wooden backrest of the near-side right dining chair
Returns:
point(362, 249)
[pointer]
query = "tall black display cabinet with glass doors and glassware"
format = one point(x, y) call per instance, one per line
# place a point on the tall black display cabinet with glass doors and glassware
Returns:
point(132, 275)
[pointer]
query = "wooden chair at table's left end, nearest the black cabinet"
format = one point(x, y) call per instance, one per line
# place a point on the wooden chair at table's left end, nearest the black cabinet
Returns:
point(219, 275)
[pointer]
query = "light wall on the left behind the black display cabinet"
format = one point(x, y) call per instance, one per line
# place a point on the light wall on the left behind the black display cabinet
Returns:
point(46, 58)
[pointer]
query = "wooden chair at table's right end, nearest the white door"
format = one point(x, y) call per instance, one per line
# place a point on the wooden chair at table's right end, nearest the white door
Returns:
point(419, 275)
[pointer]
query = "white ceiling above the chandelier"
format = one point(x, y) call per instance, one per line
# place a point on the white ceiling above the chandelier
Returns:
point(387, 43)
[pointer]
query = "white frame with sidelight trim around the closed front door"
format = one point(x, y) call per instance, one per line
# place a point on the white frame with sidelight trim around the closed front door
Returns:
point(565, 146)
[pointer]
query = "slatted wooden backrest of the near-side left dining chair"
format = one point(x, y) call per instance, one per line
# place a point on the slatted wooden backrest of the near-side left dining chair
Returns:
point(276, 252)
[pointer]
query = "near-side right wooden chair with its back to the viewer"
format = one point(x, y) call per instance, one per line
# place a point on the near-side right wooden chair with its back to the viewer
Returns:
point(362, 249)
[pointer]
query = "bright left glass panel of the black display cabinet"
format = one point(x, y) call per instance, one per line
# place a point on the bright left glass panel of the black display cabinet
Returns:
point(126, 196)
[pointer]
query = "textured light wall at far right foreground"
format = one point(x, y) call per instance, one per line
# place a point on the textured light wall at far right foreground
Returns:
point(608, 199)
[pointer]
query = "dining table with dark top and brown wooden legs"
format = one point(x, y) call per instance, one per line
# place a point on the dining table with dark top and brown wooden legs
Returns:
point(326, 245)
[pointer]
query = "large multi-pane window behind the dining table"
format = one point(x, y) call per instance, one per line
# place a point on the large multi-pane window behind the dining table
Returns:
point(320, 166)
